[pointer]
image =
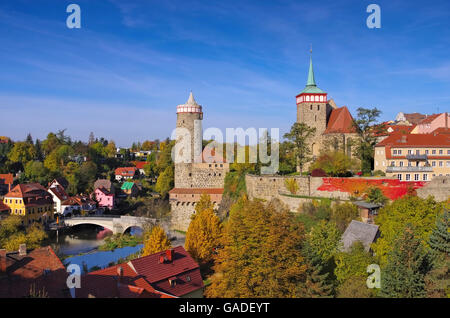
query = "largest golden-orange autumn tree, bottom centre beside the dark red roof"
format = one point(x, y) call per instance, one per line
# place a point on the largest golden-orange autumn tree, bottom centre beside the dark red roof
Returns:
point(260, 254)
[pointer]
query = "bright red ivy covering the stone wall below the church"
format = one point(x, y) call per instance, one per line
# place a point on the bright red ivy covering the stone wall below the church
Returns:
point(391, 188)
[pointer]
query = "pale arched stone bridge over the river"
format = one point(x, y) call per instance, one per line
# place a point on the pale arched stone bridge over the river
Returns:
point(115, 224)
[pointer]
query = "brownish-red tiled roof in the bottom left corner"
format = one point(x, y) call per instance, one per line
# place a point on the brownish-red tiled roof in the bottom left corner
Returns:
point(40, 267)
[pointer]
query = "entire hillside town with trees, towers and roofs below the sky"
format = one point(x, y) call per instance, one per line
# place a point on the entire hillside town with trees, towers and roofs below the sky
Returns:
point(350, 192)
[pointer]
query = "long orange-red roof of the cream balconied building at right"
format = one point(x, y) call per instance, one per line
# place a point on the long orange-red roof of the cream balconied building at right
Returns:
point(416, 140)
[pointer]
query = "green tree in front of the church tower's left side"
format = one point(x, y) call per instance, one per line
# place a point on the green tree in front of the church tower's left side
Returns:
point(298, 136)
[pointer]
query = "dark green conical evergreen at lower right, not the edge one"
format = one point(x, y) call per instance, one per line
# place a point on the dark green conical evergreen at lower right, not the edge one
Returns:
point(407, 265)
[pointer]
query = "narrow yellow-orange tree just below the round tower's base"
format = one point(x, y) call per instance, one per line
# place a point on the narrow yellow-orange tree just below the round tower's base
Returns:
point(204, 231)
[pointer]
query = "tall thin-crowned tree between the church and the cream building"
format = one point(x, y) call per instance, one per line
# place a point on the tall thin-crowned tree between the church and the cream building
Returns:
point(367, 131)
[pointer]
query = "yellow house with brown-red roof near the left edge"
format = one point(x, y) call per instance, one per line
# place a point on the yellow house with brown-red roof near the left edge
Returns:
point(30, 201)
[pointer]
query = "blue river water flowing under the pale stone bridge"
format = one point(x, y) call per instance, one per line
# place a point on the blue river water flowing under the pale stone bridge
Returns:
point(85, 240)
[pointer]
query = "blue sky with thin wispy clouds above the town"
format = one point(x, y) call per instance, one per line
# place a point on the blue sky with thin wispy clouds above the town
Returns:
point(123, 73)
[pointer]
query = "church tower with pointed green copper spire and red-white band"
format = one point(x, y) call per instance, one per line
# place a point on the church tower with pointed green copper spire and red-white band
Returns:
point(313, 109)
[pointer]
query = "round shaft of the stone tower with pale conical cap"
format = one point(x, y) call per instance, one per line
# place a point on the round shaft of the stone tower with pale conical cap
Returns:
point(189, 140)
